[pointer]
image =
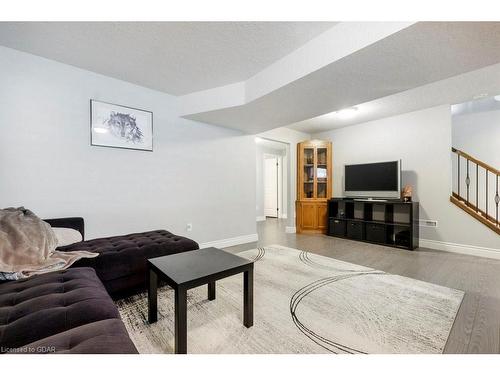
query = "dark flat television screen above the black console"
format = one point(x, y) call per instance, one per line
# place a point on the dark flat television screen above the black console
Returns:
point(372, 177)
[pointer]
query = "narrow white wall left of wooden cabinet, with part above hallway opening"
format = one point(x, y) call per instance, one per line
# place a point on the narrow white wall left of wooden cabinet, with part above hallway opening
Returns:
point(291, 137)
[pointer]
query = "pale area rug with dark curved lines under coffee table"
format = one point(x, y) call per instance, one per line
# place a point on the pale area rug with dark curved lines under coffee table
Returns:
point(303, 303)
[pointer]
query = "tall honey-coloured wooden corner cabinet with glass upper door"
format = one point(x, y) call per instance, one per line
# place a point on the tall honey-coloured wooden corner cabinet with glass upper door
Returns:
point(314, 185)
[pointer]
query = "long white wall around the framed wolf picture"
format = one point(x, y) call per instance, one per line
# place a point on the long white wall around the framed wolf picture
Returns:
point(197, 174)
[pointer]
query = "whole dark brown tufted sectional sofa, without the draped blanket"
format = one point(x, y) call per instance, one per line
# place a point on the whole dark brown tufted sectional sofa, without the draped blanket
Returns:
point(71, 311)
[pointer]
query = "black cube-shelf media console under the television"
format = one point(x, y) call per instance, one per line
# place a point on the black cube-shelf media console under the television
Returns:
point(390, 223)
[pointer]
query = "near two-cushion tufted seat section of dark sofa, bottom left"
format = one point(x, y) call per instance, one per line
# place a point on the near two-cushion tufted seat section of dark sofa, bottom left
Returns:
point(65, 311)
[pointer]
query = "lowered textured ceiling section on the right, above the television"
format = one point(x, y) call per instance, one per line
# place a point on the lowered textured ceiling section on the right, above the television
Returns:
point(418, 55)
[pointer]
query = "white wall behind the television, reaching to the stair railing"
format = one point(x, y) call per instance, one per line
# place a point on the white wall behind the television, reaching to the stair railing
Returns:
point(422, 140)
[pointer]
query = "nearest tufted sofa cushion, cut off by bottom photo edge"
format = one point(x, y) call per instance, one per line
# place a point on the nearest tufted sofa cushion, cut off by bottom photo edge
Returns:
point(104, 337)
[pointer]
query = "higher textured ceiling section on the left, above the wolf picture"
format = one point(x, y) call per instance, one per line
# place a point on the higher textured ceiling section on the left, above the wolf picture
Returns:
point(173, 57)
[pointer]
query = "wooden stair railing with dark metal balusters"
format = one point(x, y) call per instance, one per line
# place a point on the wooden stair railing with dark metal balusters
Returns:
point(483, 205)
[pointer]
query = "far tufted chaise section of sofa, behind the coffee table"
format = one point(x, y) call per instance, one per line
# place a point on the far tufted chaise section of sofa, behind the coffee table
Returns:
point(123, 256)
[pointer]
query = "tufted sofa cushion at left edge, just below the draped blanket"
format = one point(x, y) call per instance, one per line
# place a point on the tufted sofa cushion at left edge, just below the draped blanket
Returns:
point(44, 305)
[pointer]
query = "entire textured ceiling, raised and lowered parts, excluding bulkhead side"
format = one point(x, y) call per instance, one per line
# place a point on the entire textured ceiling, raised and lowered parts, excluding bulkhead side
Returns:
point(423, 65)
